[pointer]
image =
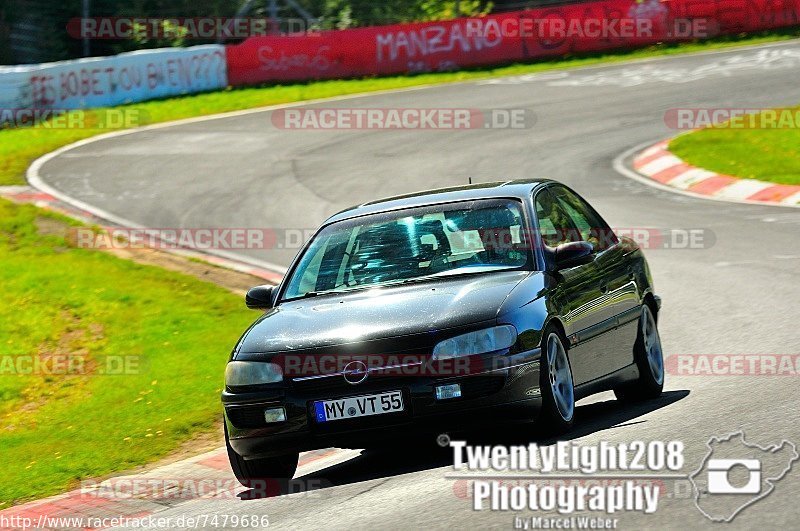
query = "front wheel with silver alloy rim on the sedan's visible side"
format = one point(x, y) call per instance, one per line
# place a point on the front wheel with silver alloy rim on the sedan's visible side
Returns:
point(556, 384)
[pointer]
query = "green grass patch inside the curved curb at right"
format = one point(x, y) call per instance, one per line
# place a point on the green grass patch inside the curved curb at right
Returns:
point(766, 154)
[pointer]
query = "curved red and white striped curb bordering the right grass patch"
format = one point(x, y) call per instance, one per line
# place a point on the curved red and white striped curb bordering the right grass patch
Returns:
point(661, 165)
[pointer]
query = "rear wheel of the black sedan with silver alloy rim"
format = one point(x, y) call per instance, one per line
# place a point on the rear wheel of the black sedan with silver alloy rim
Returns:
point(649, 358)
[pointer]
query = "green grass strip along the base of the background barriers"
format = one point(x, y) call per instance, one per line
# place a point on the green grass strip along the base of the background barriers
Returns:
point(19, 147)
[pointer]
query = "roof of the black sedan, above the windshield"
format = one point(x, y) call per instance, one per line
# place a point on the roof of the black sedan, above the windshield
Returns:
point(518, 189)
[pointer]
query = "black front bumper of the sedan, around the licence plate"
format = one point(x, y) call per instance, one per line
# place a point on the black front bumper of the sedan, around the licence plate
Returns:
point(501, 394)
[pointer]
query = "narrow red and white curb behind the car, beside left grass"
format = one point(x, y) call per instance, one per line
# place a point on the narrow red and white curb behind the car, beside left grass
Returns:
point(30, 195)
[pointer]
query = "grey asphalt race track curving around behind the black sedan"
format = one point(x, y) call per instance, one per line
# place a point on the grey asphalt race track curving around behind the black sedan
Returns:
point(738, 295)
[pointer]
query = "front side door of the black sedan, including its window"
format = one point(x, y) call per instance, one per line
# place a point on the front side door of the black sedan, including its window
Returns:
point(576, 294)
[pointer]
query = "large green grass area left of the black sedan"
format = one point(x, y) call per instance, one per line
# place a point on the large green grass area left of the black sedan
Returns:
point(58, 300)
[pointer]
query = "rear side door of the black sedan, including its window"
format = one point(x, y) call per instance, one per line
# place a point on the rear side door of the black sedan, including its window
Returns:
point(618, 307)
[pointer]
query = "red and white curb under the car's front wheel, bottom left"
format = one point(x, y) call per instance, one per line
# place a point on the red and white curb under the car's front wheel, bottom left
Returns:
point(101, 504)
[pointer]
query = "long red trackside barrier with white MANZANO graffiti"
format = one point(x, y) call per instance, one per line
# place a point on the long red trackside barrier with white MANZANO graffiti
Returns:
point(500, 38)
